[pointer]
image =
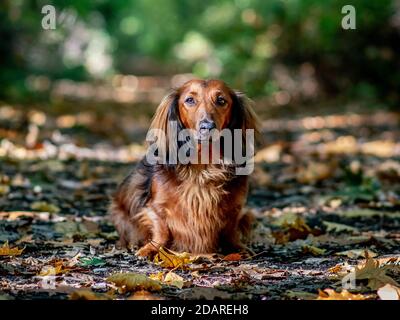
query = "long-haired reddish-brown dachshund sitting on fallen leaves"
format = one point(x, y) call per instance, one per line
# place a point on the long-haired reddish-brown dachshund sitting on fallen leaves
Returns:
point(188, 207)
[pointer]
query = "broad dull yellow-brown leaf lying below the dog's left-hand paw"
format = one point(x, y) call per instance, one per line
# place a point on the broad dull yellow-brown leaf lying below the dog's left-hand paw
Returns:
point(134, 281)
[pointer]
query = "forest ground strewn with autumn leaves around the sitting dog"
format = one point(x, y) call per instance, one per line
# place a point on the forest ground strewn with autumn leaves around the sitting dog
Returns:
point(325, 191)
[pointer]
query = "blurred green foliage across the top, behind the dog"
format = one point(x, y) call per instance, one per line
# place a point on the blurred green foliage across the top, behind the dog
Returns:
point(239, 41)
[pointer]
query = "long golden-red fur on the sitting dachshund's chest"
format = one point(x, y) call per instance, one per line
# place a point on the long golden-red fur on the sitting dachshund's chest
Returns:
point(196, 218)
